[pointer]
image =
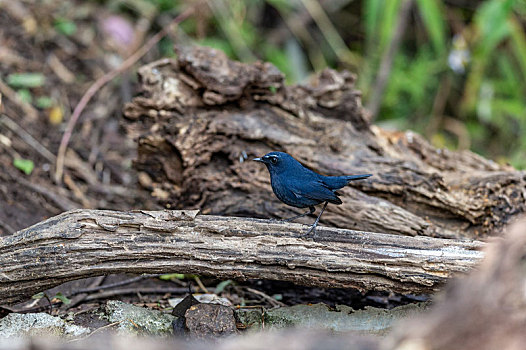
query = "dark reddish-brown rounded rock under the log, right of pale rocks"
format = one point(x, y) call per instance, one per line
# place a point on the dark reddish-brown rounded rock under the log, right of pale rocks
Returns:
point(205, 320)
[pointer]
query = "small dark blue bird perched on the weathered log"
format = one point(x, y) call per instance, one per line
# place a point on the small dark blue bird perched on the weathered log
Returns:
point(300, 187)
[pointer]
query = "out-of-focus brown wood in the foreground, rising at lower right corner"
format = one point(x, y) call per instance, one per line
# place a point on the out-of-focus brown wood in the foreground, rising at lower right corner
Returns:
point(484, 311)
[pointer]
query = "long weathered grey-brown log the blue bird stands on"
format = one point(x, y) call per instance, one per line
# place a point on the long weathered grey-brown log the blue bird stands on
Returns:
point(83, 243)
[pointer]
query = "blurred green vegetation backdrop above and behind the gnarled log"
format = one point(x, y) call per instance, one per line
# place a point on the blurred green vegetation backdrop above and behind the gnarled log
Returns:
point(454, 71)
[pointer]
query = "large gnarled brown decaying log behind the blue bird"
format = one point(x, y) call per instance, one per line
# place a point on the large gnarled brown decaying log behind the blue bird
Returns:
point(201, 117)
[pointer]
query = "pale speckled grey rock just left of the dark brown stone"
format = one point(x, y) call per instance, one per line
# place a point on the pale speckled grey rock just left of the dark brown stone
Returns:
point(138, 320)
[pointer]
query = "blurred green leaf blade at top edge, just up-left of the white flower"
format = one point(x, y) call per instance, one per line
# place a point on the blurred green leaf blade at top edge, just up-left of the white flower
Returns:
point(433, 17)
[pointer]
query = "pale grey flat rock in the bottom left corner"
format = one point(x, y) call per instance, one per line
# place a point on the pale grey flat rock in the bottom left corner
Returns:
point(39, 324)
